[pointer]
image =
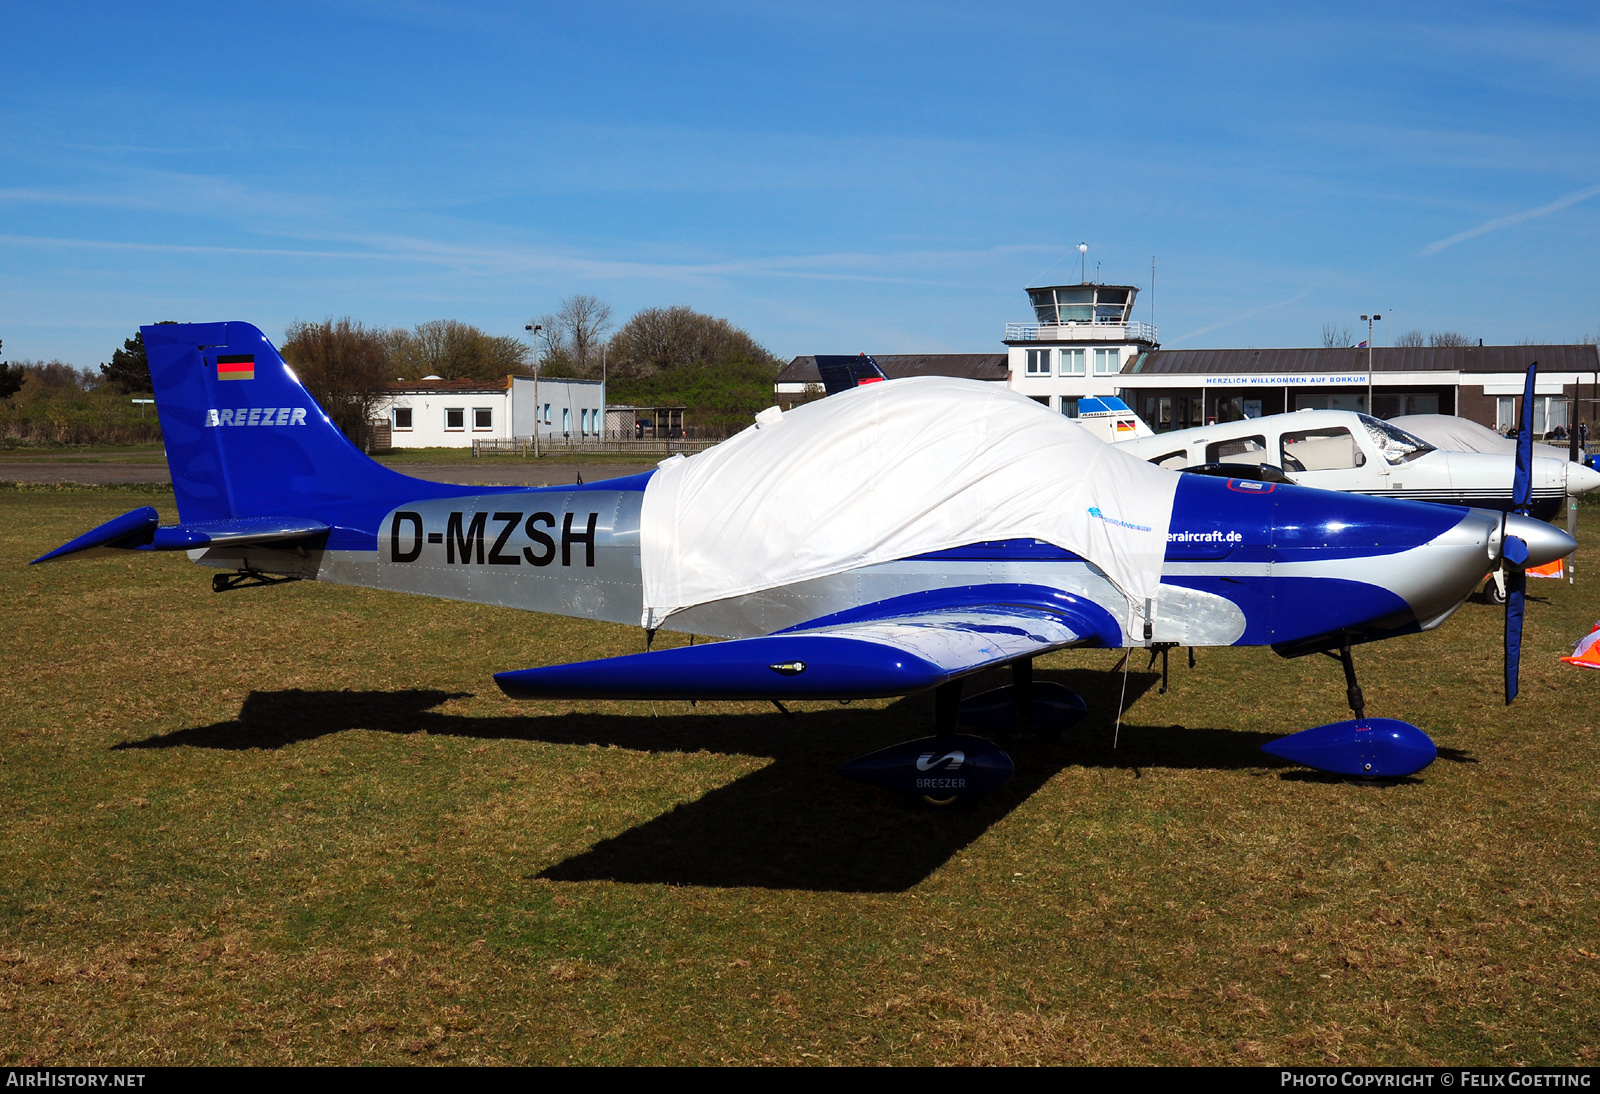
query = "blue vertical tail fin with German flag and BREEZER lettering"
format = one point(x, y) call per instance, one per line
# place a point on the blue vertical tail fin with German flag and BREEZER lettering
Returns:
point(244, 437)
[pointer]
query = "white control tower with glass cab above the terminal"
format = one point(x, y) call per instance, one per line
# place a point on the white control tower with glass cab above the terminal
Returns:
point(1078, 345)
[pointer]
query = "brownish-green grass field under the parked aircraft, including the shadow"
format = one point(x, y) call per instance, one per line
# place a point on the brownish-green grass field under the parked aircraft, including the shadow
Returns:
point(300, 824)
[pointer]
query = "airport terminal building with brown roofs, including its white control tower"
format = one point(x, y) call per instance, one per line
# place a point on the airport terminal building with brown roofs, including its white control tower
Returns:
point(1086, 343)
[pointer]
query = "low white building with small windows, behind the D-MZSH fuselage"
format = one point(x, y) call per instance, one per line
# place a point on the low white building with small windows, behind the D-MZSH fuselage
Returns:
point(439, 413)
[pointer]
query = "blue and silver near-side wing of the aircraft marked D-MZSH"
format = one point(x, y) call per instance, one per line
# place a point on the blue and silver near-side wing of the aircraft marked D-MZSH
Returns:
point(871, 657)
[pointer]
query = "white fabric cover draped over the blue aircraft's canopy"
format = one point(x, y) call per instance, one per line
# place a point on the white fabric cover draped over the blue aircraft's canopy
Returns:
point(889, 471)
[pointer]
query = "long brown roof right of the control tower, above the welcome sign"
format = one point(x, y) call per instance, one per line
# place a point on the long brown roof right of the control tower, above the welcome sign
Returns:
point(1386, 359)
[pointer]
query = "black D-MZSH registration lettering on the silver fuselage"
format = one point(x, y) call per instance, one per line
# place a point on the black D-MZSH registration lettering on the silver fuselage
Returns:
point(473, 540)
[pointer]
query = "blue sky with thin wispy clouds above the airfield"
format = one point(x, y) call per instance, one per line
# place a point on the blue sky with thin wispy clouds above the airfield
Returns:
point(833, 178)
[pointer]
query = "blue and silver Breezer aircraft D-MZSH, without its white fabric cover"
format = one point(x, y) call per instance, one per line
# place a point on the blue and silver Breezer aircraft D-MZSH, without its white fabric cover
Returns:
point(268, 490)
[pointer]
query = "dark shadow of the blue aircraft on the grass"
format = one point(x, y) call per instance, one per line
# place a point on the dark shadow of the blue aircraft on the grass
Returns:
point(794, 824)
